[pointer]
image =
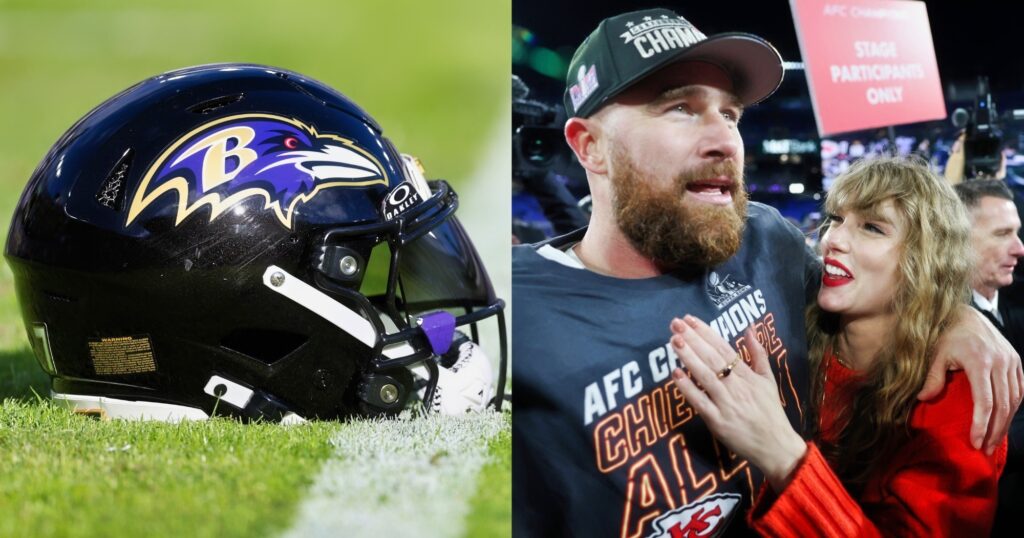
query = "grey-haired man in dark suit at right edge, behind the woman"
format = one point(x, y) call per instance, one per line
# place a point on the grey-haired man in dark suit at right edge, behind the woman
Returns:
point(995, 236)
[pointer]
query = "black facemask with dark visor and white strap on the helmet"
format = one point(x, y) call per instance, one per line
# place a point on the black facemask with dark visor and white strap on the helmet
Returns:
point(407, 296)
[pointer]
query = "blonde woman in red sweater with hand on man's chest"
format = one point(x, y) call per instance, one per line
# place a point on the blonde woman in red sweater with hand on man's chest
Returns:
point(897, 263)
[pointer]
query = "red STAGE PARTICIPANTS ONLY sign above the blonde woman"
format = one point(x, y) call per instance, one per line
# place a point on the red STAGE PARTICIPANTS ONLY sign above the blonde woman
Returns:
point(870, 63)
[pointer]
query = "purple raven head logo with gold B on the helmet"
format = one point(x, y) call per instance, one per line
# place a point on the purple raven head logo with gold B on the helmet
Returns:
point(229, 160)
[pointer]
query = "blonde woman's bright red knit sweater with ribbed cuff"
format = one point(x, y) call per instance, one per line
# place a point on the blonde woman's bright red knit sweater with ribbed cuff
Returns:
point(936, 485)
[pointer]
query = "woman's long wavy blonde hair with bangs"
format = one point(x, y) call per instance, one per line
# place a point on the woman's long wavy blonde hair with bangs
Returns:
point(935, 262)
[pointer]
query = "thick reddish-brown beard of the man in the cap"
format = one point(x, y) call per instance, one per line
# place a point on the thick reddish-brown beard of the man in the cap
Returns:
point(669, 230)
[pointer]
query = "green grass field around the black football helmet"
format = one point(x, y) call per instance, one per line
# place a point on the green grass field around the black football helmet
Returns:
point(437, 78)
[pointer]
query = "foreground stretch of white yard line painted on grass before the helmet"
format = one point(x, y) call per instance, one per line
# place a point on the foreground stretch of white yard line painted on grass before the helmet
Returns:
point(411, 477)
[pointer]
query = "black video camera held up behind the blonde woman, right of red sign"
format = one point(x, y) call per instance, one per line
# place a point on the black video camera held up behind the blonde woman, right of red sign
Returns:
point(984, 135)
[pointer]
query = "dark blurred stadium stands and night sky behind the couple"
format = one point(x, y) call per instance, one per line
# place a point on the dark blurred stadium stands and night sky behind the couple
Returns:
point(788, 165)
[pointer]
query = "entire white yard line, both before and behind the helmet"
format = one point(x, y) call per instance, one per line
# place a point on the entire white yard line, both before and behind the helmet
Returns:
point(416, 477)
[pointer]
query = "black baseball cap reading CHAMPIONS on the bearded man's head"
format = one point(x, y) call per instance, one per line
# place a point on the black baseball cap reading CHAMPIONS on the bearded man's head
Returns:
point(626, 49)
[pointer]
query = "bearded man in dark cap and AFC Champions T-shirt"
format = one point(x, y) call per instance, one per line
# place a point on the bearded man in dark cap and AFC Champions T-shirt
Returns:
point(604, 443)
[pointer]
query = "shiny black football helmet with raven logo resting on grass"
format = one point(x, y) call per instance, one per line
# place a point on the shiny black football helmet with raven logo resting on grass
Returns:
point(242, 240)
